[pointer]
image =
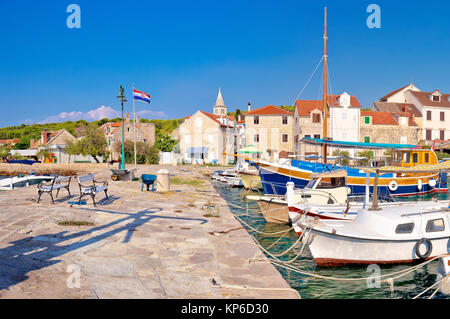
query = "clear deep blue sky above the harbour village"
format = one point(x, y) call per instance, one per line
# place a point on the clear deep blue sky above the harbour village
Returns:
point(181, 52)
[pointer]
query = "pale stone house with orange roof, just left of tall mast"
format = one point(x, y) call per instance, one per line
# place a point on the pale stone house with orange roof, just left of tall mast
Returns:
point(270, 129)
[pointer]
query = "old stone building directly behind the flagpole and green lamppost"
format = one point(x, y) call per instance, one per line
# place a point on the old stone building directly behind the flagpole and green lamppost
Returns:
point(145, 132)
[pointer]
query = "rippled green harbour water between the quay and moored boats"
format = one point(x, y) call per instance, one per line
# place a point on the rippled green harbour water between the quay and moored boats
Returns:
point(310, 287)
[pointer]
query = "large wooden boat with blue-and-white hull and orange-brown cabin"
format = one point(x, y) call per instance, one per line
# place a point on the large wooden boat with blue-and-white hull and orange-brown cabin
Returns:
point(275, 176)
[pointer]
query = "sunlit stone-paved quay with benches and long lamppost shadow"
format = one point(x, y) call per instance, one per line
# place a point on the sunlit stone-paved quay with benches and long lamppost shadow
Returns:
point(140, 245)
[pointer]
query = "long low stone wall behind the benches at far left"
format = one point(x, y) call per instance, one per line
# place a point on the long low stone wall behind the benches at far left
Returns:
point(62, 169)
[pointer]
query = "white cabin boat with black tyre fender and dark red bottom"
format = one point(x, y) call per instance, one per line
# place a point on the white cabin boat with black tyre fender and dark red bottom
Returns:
point(394, 234)
